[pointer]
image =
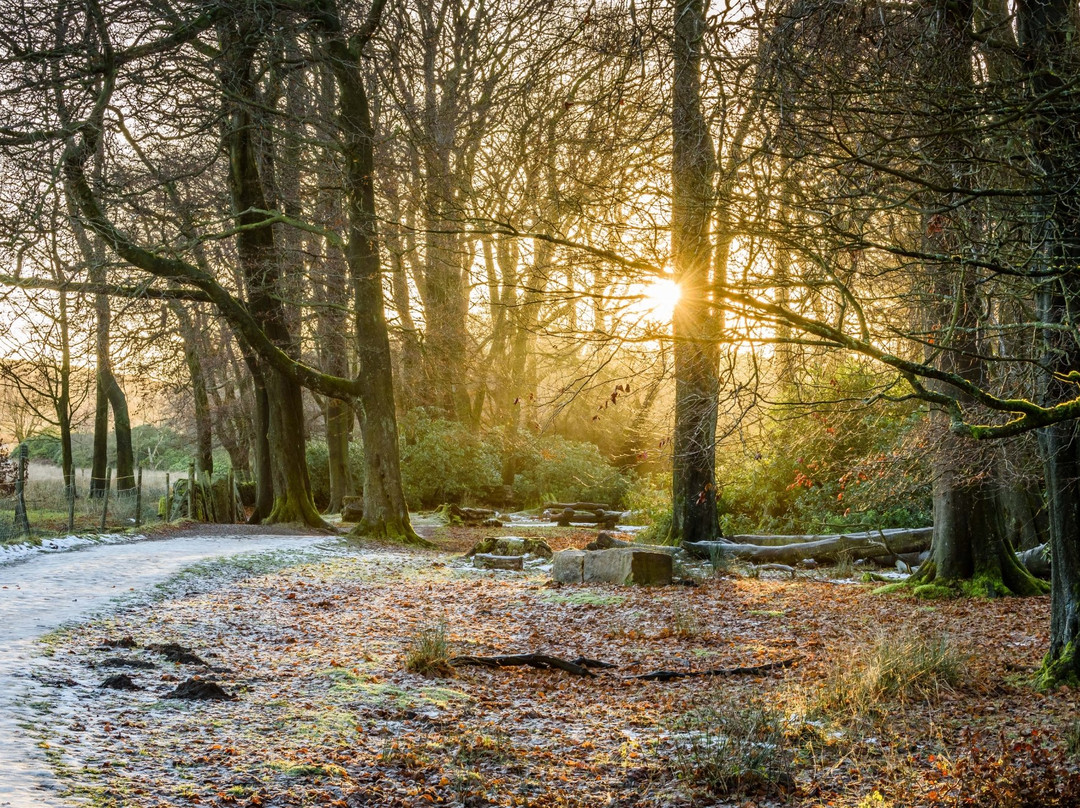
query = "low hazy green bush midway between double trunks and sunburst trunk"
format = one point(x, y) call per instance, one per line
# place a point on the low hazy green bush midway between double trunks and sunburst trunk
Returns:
point(562, 470)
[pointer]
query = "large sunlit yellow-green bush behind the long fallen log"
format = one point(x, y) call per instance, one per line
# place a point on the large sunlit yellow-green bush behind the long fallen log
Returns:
point(836, 466)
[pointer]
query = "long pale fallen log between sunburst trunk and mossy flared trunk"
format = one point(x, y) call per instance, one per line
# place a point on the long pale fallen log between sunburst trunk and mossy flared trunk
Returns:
point(829, 549)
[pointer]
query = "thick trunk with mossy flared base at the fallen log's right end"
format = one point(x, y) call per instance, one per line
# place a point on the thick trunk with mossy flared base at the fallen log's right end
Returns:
point(971, 551)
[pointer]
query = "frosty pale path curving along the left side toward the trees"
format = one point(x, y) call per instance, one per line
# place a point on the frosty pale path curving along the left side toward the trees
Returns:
point(48, 591)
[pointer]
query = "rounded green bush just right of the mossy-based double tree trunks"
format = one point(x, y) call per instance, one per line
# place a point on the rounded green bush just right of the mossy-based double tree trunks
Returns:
point(445, 462)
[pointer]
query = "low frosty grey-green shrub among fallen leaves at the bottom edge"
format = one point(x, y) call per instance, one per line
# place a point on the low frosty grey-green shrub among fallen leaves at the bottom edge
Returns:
point(731, 748)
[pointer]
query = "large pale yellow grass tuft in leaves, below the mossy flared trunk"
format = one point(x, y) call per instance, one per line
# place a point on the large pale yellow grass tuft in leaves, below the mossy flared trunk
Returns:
point(897, 668)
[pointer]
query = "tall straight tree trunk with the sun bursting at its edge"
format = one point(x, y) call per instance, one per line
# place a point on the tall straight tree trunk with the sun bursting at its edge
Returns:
point(694, 474)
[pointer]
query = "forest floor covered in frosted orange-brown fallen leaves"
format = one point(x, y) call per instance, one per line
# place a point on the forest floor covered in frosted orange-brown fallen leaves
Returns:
point(326, 712)
